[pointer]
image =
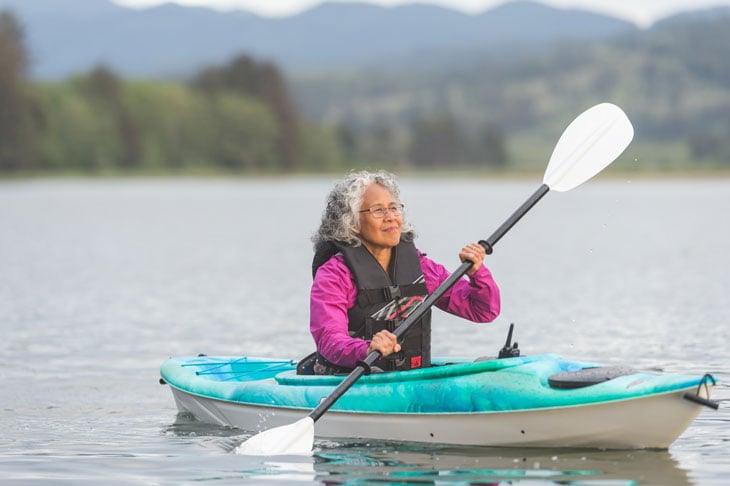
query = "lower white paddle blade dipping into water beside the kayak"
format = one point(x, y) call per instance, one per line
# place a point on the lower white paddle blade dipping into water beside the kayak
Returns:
point(292, 439)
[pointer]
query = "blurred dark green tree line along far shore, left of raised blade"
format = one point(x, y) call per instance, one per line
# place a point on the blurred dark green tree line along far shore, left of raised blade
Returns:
point(240, 117)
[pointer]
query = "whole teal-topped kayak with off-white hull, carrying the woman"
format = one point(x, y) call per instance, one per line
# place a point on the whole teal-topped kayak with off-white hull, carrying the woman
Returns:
point(536, 401)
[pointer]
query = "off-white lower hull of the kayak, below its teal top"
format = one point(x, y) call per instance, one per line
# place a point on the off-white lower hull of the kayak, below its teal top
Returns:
point(653, 421)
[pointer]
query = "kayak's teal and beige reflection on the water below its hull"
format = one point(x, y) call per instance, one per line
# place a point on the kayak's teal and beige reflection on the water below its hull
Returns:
point(365, 463)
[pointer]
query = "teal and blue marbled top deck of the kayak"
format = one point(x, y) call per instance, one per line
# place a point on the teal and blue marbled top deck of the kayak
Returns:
point(520, 383)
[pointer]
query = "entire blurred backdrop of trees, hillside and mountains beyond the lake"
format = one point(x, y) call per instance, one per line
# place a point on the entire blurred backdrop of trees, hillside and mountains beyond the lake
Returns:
point(141, 87)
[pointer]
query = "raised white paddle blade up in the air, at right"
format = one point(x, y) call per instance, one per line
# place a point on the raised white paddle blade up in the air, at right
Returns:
point(590, 143)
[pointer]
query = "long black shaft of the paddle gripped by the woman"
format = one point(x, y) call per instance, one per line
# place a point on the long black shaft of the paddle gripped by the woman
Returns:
point(488, 245)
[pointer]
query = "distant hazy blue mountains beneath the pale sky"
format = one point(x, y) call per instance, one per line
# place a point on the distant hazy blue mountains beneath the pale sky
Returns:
point(171, 41)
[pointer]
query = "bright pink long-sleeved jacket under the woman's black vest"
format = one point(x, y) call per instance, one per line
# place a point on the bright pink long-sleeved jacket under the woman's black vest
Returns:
point(334, 292)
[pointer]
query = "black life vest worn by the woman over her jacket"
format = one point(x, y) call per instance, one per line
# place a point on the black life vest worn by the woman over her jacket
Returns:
point(386, 299)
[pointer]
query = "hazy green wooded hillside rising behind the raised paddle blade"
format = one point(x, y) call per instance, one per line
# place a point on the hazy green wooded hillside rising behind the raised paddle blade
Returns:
point(673, 80)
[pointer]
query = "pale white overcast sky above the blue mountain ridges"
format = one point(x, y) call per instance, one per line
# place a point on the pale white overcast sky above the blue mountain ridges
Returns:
point(642, 12)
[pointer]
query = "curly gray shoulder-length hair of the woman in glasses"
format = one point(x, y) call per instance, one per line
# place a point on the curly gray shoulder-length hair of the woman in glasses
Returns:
point(341, 217)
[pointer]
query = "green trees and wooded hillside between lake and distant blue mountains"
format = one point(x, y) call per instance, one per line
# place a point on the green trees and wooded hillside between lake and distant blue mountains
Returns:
point(248, 117)
